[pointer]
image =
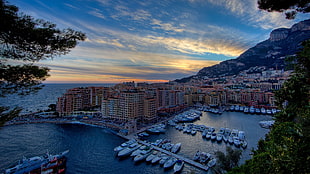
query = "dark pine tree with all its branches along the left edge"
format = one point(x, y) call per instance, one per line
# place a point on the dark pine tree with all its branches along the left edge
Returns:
point(24, 41)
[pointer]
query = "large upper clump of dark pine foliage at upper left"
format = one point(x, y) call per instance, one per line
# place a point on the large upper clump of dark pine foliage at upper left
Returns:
point(25, 38)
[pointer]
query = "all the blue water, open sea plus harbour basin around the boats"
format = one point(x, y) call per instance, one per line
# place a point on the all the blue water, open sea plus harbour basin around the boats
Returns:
point(91, 148)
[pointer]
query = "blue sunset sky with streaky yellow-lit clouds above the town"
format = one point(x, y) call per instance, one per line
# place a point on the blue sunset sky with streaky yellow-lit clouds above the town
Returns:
point(151, 40)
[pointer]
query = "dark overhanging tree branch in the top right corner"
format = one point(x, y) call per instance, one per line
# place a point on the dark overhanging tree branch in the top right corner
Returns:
point(290, 7)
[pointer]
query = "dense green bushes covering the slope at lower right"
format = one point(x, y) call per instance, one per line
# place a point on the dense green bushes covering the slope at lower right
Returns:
point(286, 149)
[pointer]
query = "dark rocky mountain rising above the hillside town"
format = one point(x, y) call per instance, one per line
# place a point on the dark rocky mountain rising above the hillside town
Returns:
point(269, 53)
